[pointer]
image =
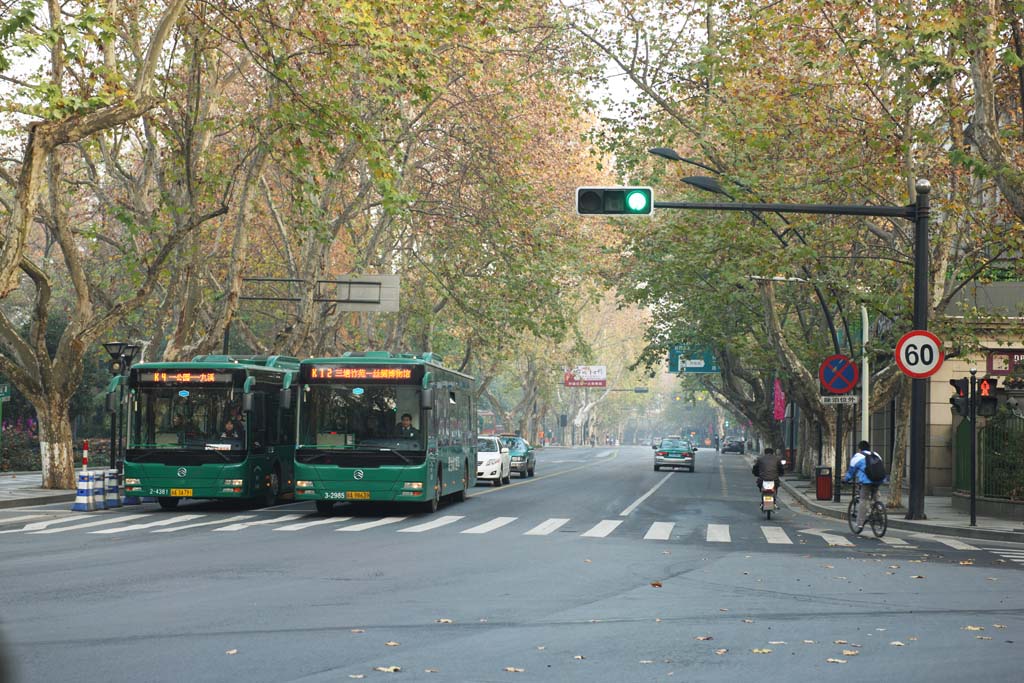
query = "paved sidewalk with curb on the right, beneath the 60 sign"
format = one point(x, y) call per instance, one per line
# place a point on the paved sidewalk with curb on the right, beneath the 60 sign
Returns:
point(943, 520)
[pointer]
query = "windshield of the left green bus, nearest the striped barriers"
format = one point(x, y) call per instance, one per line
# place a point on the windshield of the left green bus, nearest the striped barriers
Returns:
point(202, 417)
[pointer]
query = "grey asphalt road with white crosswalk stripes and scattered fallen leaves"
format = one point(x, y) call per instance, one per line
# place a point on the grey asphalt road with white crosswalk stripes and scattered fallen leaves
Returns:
point(596, 570)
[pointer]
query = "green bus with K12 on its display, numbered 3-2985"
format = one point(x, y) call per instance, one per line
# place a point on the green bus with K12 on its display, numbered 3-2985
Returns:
point(382, 428)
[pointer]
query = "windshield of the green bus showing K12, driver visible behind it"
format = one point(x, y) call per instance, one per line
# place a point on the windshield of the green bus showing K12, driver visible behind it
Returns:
point(338, 416)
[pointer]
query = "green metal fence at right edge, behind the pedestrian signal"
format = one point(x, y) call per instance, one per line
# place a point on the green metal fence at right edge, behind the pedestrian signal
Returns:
point(1001, 458)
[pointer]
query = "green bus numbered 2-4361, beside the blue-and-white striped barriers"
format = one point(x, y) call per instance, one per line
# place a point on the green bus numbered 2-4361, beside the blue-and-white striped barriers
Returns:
point(219, 428)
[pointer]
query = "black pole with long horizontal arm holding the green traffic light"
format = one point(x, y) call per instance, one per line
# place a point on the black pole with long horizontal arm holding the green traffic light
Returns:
point(919, 212)
